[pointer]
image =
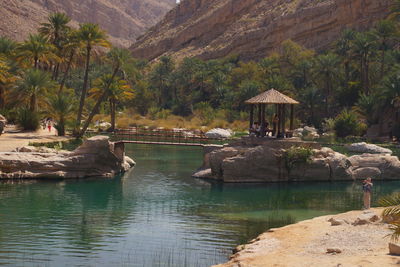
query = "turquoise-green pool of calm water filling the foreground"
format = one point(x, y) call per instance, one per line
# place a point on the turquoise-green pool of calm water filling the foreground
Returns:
point(155, 215)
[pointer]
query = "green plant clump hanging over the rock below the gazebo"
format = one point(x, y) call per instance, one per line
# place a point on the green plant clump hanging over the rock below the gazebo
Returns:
point(296, 156)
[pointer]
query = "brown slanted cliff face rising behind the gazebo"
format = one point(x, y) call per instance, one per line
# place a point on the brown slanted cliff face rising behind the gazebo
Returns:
point(253, 28)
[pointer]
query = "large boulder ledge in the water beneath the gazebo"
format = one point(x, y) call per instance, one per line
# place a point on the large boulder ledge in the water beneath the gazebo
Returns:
point(250, 160)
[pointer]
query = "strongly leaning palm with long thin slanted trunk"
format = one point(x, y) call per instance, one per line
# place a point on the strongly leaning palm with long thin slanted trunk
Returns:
point(119, 58)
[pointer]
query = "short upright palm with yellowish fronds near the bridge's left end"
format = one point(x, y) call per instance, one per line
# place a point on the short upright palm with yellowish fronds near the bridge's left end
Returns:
point(119, 90)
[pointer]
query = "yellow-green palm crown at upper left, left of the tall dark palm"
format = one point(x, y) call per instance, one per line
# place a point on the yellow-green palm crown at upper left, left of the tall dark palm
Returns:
point(37, 49)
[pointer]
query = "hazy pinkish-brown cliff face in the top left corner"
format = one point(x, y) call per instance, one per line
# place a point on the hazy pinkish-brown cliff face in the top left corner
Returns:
point(124, 20)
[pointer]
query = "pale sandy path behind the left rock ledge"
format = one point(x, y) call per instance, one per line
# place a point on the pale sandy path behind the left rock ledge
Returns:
point(12, 139)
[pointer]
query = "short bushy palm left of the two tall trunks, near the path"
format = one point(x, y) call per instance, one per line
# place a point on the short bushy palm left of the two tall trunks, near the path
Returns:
point(60, 107)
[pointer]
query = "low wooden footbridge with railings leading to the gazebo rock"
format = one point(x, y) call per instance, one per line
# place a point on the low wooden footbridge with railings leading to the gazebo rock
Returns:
point(147, 136)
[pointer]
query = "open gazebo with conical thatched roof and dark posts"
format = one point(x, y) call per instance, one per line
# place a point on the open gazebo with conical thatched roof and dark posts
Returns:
point(280, 101)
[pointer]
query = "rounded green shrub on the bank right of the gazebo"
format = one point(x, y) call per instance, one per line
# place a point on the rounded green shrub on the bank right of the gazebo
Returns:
point(347, 123)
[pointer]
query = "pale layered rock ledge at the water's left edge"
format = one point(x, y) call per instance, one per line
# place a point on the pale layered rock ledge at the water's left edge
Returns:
point(97, 156)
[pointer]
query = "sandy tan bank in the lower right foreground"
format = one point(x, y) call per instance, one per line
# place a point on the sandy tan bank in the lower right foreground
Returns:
point(306, 243)
